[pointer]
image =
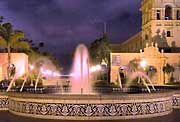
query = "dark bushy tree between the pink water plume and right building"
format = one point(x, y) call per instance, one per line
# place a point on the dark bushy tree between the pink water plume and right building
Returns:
point(100, 50)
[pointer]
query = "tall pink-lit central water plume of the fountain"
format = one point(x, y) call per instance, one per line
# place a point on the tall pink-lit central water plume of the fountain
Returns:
point(80, 81)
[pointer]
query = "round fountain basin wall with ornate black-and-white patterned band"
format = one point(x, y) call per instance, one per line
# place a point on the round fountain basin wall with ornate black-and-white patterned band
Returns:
point(90, 107)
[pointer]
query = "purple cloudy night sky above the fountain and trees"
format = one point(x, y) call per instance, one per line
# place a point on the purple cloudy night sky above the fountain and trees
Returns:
point(62, 24)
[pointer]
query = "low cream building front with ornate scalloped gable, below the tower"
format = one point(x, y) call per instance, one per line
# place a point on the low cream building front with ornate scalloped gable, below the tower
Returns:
point(153, 58)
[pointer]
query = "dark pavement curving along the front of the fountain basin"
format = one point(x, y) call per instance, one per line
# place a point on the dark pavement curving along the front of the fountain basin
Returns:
point(173, 117)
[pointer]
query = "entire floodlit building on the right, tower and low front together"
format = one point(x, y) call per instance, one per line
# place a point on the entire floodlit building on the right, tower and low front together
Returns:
point(158, 43)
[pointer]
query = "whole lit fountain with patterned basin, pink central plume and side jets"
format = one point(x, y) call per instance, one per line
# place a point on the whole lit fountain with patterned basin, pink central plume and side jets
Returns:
point(81, 104)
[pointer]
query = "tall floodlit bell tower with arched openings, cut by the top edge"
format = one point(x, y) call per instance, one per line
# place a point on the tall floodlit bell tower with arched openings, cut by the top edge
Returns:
point(161, 22)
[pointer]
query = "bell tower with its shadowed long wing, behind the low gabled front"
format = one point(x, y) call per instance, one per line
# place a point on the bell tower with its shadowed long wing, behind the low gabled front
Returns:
point(160, 24)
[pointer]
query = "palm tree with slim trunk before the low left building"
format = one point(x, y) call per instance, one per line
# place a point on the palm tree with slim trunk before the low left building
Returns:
point(10, 39)
